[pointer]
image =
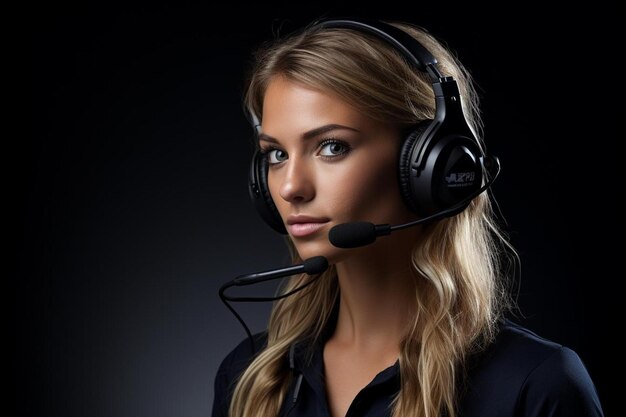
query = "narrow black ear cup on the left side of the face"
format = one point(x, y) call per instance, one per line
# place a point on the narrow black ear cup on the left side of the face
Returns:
point(260, 193)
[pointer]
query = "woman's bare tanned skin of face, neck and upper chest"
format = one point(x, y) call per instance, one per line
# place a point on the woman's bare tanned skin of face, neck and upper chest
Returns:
point(376, 281)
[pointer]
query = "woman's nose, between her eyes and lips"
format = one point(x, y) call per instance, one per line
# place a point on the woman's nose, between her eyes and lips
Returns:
point(296, 182)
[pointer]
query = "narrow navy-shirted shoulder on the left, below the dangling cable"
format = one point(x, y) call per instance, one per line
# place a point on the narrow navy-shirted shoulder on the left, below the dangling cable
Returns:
point(231, 367)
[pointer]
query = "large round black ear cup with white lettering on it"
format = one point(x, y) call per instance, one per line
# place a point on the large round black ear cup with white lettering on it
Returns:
point(437, 171)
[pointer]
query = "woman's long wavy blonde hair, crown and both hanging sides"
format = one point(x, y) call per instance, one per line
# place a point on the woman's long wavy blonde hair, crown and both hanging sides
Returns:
point(458, 288)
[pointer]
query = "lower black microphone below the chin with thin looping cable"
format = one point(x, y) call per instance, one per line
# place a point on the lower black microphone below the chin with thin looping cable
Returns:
point(311, 266)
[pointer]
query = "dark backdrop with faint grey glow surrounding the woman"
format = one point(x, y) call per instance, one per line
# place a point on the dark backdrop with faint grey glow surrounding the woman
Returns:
point(133, 209)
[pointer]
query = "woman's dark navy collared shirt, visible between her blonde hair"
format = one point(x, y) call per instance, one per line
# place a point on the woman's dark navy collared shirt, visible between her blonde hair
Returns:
point(519, 375)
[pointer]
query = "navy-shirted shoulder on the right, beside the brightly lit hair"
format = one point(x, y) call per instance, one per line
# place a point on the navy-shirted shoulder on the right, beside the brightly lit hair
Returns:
point(524, 373)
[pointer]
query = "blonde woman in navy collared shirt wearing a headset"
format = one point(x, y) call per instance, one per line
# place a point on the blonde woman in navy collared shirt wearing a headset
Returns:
point(411, 324)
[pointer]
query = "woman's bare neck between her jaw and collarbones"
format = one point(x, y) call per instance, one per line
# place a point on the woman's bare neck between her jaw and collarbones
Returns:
point(377, 294)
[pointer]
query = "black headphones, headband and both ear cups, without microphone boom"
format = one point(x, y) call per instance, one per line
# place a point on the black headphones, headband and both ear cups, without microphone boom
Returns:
point(440, 164)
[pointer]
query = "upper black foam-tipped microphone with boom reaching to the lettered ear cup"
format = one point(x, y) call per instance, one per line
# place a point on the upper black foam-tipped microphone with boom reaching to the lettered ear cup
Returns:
point(355, 234)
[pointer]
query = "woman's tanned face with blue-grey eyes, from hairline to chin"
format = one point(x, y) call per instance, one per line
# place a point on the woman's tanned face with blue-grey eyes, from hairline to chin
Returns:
point(329, 164)
